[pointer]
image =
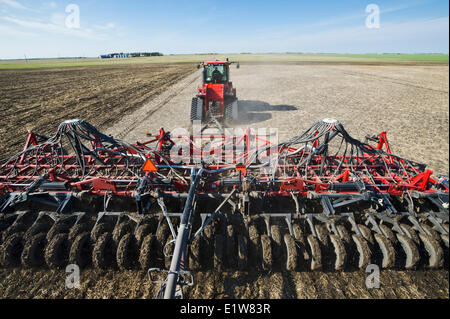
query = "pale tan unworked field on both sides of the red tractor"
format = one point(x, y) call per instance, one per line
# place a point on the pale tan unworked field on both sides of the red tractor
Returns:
point(409, 103)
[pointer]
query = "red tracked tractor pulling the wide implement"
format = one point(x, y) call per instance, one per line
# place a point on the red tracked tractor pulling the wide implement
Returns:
point(216, 98)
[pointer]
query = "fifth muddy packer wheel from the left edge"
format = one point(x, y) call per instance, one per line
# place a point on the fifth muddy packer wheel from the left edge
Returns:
point(104, 252)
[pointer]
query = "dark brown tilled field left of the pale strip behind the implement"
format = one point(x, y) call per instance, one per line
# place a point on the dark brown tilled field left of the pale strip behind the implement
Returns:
point(41, 99)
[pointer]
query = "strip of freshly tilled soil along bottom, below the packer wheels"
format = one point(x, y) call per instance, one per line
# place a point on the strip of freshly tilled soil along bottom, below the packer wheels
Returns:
point(253, 285)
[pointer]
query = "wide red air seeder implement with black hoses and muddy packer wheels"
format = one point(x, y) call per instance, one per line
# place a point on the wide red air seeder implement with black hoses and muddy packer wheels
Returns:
point(321, 200)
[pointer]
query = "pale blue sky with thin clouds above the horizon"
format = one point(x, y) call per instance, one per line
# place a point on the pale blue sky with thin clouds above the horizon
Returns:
point(37, 28)
